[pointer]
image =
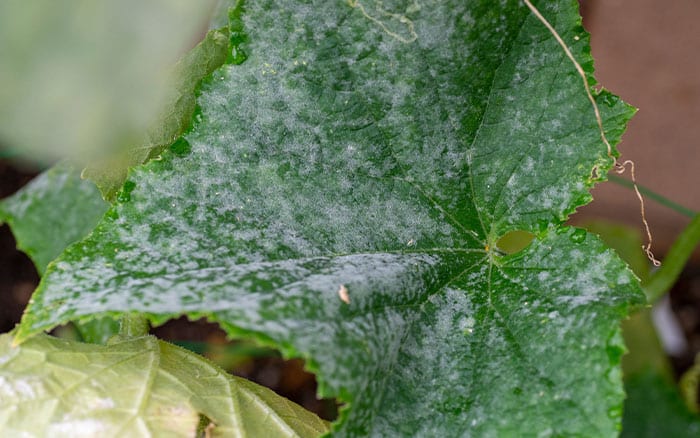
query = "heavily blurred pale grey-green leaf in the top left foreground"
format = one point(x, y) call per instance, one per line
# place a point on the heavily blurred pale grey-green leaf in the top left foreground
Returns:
point(82, 80)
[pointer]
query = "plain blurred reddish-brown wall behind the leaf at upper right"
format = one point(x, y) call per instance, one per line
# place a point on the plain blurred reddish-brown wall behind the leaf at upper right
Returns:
point(648, 52)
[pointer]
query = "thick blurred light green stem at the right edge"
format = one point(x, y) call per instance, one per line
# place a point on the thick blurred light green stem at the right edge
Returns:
point(662, 280)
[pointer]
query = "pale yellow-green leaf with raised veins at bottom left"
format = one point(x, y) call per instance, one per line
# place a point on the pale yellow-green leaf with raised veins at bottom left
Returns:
point(135, 387)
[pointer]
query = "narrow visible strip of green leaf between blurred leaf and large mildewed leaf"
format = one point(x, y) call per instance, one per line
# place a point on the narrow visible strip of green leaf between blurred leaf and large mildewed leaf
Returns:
point(174, 117)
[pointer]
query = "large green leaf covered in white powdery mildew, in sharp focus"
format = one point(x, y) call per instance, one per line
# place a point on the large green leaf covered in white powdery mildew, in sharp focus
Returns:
point(340, 196)
